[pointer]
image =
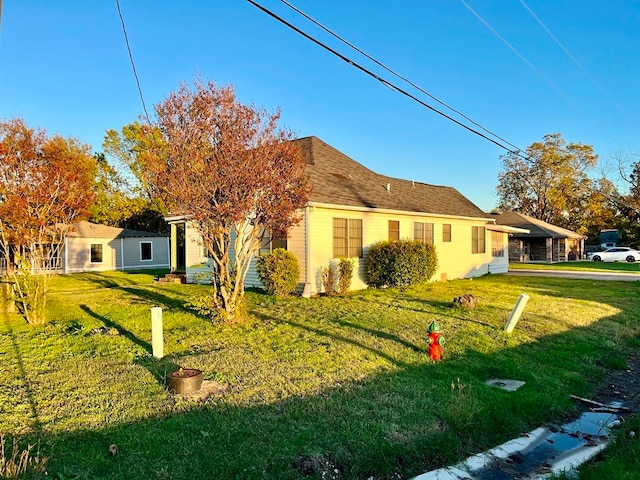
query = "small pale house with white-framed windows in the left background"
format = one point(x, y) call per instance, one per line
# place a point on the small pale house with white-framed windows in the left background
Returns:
point(89, 247)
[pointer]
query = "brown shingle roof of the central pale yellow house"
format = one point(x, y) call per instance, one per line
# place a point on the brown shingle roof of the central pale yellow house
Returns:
point(340, 180)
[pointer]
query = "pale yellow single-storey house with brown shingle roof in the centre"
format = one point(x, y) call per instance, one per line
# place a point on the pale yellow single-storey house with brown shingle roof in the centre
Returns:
point(352, 207)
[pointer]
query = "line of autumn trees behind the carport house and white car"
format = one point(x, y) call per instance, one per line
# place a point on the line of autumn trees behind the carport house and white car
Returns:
point(555, 181)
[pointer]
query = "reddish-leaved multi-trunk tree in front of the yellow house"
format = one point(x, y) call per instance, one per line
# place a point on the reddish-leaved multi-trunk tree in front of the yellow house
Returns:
point(227, 168)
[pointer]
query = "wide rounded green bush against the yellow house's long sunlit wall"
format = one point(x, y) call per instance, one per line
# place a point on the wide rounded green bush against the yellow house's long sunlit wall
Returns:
point(400, 263)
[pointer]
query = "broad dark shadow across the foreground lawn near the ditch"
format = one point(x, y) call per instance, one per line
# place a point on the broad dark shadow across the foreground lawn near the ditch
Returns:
point(408, 422)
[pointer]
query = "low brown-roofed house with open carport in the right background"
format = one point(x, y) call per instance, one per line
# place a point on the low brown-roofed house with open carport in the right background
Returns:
point(544, 242)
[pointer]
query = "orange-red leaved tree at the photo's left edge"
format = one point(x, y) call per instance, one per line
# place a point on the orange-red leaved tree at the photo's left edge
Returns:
point(45, 185)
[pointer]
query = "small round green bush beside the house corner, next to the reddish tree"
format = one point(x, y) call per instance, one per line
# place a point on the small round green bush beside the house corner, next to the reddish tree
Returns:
point(279, 272)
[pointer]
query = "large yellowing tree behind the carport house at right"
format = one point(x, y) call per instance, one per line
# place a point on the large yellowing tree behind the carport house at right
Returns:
point(550, 182)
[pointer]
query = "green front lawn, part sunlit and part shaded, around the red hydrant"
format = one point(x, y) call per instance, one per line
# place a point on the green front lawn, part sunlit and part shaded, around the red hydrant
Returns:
point(306, 386)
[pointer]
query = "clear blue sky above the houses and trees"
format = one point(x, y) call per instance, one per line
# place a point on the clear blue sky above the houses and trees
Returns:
point(64, 66)
